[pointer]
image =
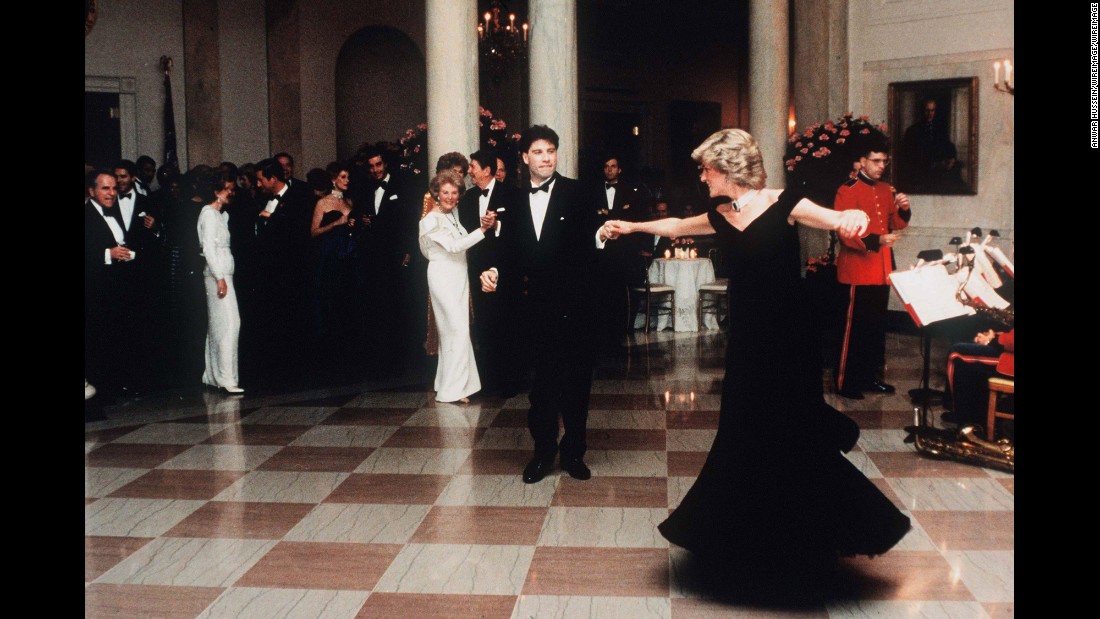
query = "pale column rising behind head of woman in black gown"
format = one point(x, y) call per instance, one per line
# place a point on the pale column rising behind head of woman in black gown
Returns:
point(768, 83)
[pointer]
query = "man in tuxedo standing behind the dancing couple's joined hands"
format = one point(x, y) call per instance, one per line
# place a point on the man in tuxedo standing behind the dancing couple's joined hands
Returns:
point(620, 262)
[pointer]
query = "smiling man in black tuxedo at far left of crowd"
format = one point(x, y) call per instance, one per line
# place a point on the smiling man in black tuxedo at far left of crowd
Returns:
point(113, 293)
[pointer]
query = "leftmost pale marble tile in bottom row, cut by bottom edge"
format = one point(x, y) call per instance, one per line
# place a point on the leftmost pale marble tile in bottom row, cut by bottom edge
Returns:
point(255, 603)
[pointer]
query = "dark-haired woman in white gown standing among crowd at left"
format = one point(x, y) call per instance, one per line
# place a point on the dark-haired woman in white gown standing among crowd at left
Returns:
point(224, 319)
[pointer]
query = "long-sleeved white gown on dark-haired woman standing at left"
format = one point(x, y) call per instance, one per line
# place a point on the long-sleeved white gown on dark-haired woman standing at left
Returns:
point(224, 318)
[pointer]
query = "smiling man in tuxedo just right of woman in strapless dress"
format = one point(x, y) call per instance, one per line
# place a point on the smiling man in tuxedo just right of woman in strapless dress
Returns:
point(390, 218)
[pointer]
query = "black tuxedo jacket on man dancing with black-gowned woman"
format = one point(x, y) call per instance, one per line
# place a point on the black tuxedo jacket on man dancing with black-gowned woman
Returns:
point(556, 272)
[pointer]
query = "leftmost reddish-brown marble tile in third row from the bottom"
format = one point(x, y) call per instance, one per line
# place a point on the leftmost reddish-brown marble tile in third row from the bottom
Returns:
point(243, 521)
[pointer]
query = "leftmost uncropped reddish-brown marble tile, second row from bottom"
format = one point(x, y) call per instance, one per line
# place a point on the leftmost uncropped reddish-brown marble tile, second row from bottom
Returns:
point(322, 566)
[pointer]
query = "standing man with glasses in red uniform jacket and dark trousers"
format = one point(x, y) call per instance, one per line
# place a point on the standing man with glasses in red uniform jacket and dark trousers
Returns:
point(864, 264)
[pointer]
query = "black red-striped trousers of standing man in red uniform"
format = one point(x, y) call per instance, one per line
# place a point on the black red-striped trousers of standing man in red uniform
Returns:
point(863, 349)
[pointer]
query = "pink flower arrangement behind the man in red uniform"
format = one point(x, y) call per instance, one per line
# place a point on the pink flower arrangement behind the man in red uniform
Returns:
point(820, 159)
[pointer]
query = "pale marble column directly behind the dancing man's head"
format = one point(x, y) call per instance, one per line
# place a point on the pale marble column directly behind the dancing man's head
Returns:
point(553, 60)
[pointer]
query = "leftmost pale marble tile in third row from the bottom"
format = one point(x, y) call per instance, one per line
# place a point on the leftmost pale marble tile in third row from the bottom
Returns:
point(136, 518)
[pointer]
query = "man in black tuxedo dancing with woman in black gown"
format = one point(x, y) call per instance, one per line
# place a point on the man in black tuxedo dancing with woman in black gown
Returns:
point(547, 257)
